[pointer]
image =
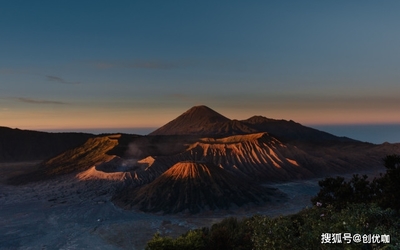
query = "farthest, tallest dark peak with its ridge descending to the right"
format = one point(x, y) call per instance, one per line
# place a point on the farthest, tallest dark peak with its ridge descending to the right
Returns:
point(204, 121)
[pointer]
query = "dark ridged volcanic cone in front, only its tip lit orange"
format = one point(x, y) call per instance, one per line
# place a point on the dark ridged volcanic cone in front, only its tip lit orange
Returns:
point(194, 186)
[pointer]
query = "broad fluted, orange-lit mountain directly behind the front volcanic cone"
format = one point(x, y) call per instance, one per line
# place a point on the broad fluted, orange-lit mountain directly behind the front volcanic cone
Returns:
point(261, 157)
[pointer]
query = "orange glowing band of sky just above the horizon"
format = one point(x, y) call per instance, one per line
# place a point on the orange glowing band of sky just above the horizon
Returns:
point(155, 118)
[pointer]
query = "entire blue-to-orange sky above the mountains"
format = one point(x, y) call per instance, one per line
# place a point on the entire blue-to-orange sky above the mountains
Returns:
point(129, 64)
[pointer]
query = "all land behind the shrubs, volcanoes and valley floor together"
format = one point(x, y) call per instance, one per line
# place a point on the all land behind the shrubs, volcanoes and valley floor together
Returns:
point(69, 191)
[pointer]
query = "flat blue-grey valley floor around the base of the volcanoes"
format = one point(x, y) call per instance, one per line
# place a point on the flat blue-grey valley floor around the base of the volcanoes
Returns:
point(66, 213)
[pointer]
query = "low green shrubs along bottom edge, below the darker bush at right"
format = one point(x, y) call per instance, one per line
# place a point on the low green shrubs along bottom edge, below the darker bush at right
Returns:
point(299, 231)
